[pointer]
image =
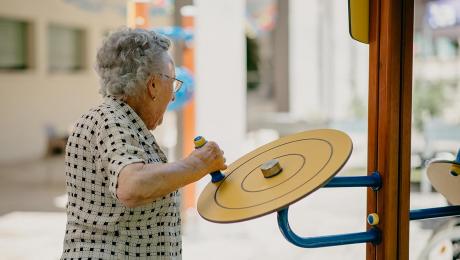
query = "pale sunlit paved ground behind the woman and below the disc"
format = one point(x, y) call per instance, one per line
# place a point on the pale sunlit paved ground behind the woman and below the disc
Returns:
point(32, 223)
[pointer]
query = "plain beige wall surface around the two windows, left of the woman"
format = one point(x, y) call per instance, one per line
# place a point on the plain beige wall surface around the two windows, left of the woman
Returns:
point(32, 99)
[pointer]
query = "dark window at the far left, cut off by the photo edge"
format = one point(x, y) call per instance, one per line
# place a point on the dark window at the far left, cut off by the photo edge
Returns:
point(13, 46)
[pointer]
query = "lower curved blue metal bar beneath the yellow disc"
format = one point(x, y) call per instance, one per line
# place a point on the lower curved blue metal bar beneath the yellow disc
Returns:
point(373, 235)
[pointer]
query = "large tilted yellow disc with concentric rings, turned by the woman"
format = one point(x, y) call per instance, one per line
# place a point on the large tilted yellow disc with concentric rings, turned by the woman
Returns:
point(308, 159)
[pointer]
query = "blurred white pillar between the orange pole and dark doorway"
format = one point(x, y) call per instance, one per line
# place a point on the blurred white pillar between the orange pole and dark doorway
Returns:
point(220, 73)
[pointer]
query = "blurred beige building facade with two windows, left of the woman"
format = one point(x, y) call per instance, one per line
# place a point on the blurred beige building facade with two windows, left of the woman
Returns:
point(46, 69)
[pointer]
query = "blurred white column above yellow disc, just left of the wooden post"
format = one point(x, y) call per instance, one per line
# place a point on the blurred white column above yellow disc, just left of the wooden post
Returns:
point(316, 96)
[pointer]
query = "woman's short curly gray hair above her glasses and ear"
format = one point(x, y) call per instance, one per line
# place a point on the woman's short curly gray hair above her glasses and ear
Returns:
point(127, 59)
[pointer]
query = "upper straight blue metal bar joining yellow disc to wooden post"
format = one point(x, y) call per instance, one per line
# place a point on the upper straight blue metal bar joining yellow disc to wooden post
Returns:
point(373, 181)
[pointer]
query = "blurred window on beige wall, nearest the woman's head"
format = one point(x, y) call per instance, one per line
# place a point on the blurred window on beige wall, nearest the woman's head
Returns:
point(65, 48)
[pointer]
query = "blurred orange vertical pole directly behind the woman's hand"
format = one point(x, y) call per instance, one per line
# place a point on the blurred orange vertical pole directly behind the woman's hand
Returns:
point(188, 131)
